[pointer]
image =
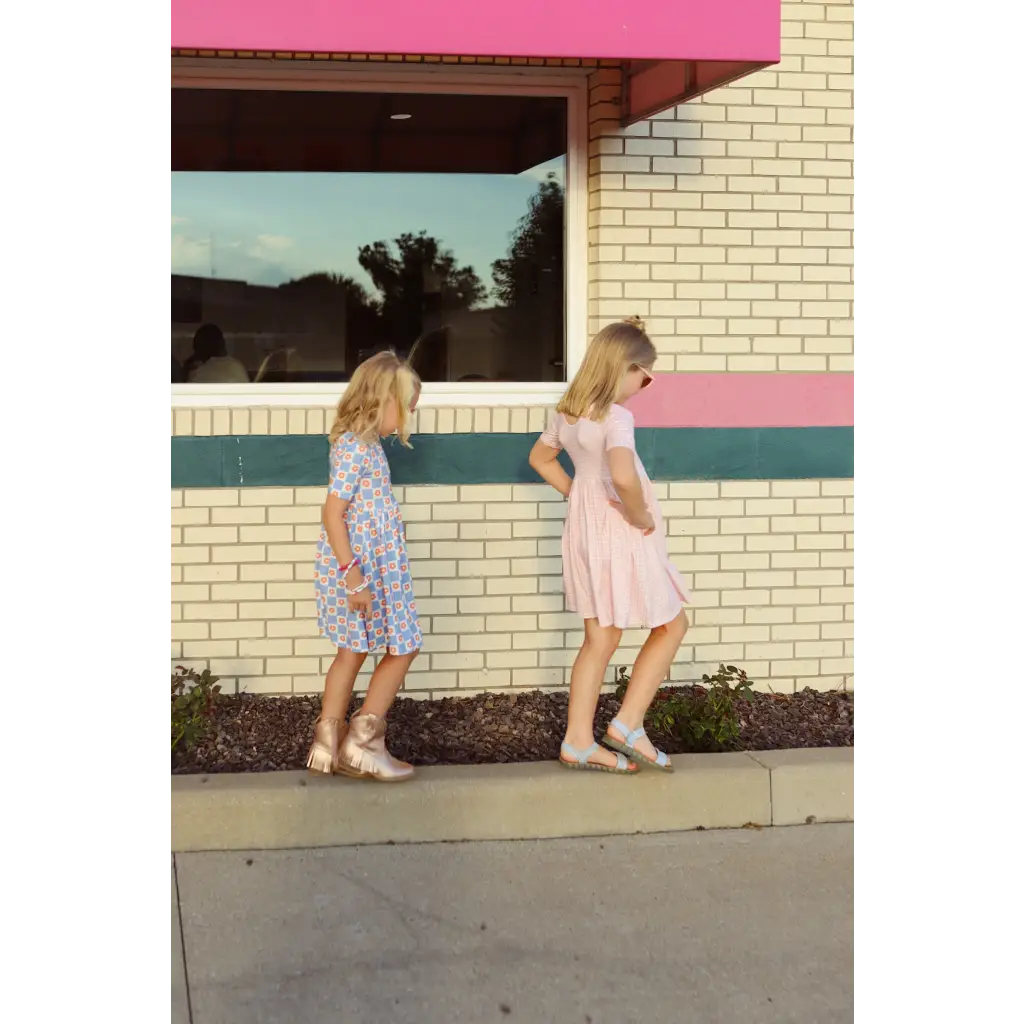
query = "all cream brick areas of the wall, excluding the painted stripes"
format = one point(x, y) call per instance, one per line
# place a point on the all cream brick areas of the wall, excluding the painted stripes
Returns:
point(729, 224)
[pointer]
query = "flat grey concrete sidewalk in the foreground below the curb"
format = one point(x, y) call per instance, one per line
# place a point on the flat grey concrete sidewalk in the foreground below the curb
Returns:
point(752, 927)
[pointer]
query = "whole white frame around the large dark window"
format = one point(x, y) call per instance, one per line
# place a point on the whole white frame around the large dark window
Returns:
point(570, 83)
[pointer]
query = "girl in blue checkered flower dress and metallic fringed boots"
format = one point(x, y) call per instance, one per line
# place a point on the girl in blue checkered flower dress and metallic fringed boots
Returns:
point(365, 598)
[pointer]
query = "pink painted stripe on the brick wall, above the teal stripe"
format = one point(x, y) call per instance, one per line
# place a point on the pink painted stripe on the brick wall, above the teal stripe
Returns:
point(747, 401)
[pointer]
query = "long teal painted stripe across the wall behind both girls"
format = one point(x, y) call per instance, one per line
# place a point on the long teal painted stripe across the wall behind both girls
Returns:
point(668, 453)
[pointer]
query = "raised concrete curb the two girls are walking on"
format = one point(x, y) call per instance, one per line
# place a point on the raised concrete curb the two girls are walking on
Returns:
point(291, 810)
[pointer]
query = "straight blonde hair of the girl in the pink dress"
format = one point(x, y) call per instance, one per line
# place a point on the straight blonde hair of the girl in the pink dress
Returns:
point(614, 351)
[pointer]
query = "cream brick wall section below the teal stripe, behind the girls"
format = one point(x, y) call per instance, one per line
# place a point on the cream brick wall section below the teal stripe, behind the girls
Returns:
point(772, 565)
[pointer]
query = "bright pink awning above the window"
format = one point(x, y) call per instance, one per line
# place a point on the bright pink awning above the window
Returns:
point(674, 50)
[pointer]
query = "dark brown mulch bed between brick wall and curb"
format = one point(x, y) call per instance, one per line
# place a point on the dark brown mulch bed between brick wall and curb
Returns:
point(255, 734)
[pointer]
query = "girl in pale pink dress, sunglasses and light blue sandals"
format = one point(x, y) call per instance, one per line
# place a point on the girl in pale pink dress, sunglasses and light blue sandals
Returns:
point(615, 559)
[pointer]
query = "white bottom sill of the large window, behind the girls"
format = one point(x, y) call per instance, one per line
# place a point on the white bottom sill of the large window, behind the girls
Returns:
point(476, 395)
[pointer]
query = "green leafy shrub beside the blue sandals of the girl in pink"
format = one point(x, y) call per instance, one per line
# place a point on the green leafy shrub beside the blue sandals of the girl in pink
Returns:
point(704, 718)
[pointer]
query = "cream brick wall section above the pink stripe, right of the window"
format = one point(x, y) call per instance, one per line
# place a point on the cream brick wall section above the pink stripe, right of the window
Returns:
point(729, 223)
